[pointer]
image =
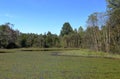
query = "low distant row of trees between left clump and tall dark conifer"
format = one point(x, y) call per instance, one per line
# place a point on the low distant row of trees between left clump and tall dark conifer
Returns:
point(42, 41)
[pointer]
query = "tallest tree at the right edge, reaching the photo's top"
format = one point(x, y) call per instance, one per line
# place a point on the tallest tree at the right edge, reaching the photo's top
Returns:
point(114, 24)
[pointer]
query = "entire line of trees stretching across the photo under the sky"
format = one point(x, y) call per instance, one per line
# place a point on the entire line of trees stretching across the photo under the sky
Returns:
point(102, 33)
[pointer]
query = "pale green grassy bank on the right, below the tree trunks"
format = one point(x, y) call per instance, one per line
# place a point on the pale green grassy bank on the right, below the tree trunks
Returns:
point(89, 53)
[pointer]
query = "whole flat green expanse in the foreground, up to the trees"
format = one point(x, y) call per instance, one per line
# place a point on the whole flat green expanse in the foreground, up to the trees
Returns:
point(73, 64)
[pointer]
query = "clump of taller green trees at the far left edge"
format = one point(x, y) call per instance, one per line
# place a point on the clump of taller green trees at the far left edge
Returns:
point(7, 35)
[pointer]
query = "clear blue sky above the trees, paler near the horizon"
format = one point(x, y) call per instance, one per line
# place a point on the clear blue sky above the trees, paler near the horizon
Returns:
point(40, 16)
